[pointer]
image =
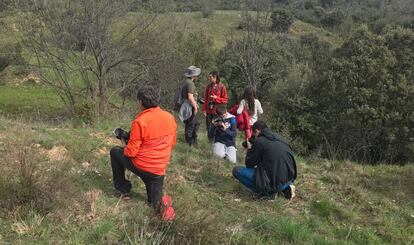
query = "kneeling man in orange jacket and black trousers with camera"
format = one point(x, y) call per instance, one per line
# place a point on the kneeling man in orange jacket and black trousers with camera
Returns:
point(148, 151)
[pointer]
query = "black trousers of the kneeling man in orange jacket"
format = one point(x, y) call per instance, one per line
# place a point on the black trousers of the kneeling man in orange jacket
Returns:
point(153, 183)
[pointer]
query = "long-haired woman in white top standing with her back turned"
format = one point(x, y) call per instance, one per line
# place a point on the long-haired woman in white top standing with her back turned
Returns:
point(252, 106)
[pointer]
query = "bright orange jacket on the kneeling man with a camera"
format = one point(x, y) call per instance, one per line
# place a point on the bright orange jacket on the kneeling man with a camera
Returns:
point(151, 140)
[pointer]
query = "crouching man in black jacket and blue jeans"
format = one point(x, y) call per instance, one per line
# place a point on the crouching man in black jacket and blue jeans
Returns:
point(270, 165)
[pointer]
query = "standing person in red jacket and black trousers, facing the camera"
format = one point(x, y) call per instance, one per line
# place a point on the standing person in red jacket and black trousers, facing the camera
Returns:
point(215, 93)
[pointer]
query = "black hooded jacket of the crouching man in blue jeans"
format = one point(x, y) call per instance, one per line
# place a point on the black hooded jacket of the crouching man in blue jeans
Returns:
point(274, 160)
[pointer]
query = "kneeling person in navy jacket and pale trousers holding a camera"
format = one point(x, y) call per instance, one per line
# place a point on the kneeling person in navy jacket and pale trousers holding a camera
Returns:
point(224, 134)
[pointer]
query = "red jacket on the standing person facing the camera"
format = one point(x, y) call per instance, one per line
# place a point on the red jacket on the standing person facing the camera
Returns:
point(214, 89)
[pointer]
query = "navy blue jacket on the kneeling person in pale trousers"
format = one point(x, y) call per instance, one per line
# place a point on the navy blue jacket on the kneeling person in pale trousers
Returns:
point(228, 136)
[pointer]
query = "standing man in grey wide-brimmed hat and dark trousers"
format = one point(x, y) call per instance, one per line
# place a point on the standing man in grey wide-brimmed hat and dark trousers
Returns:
point(189, 96)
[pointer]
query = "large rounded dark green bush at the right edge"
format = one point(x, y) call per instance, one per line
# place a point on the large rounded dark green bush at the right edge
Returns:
point(362, 98)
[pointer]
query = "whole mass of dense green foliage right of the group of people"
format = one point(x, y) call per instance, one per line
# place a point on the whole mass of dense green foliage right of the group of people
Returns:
point(354, 103)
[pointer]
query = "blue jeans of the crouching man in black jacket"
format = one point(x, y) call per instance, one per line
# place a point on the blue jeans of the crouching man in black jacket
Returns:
point(246, 177)
